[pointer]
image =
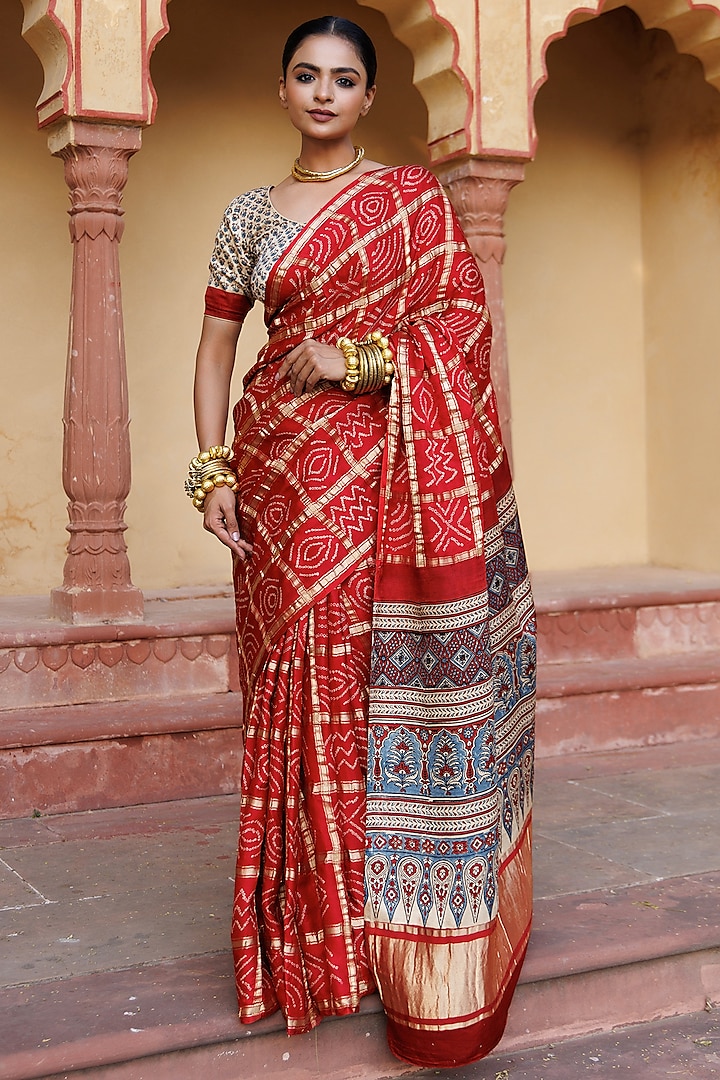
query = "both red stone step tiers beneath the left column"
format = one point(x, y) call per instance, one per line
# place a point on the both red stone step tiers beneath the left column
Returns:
point(118, 714)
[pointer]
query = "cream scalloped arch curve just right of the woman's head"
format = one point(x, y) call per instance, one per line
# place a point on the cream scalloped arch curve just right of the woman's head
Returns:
point(439, 76)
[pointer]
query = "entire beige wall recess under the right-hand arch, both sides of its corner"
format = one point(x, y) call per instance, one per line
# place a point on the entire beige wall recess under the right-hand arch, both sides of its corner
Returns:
point(613, 315)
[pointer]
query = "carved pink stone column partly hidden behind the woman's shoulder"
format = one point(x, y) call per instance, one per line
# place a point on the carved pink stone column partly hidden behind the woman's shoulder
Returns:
point(480, 190)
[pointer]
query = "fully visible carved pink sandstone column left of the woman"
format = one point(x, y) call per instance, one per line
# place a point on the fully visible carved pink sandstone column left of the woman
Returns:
point(97, 469)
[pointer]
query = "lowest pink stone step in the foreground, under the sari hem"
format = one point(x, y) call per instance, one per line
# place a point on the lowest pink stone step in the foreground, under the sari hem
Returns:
point(597, 961)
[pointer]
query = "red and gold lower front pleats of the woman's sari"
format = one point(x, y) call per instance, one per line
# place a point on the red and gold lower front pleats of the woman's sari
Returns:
point(297, 928)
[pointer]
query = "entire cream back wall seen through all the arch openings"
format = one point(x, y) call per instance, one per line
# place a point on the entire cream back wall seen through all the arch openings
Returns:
point(610, 274)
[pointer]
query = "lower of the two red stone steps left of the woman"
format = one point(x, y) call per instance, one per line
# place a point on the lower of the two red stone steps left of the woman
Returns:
point(119, 753)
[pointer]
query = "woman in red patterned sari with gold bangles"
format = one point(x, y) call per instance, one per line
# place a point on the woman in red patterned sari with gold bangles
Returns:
point(385, 615)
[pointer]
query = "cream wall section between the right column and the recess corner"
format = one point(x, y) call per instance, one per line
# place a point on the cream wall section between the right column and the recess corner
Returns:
point(574, 292)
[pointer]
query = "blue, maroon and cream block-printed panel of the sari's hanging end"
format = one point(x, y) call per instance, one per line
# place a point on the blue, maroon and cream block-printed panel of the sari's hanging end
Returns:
point(444, 804)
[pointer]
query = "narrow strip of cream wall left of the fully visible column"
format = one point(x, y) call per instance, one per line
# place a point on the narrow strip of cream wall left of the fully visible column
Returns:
point(35, 282)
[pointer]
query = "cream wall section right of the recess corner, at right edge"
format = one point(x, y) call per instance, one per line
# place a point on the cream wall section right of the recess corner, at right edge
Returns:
point(682, 236)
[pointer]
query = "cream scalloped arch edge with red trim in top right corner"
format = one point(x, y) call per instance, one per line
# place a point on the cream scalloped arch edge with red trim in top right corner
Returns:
point(694, 26)
